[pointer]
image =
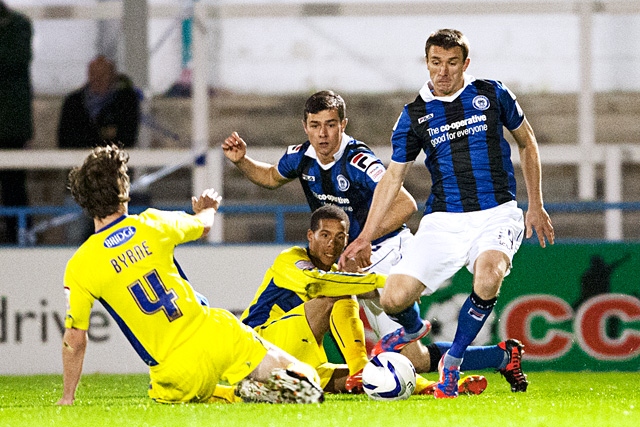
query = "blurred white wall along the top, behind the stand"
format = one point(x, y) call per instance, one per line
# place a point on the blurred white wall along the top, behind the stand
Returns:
point(298, 46)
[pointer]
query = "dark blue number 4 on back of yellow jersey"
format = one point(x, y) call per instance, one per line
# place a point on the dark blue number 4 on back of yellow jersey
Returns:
point(155, 297)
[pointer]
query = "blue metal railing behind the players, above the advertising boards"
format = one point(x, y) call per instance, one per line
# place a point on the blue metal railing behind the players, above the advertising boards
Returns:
point(278, 211)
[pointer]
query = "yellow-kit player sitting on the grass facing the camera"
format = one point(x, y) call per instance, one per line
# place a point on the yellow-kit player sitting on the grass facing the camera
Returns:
point(303, 296)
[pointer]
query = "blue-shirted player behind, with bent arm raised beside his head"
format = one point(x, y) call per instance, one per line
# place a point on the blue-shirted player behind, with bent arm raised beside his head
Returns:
point(336, 169)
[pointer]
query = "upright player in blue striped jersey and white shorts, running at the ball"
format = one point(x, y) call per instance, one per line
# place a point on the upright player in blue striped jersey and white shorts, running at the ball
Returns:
point(471, 218)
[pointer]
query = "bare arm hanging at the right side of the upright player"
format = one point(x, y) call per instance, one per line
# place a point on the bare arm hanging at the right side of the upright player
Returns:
point(536, 217)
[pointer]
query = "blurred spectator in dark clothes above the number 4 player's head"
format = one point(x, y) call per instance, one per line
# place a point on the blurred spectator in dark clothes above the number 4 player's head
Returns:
point(105, 109)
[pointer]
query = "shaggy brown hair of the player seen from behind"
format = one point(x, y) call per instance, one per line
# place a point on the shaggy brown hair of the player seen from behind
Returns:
point(101, 184)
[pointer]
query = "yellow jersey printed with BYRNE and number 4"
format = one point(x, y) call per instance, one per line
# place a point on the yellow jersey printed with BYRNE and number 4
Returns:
point(129, 267)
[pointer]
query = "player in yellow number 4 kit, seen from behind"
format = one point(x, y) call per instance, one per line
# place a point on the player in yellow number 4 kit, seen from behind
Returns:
point(128, 265)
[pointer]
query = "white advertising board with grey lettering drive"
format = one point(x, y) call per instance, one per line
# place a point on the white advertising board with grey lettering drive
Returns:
point(32, 304)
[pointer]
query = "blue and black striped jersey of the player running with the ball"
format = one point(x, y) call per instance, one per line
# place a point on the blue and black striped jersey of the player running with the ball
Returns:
point(462, 136)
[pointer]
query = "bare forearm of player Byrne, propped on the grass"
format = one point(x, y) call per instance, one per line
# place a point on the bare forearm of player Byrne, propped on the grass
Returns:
point(74, 345)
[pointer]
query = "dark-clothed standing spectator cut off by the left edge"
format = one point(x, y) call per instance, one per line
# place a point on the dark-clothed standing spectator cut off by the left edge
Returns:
point(16, 121)
